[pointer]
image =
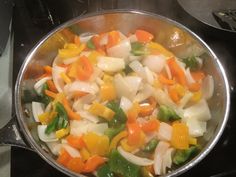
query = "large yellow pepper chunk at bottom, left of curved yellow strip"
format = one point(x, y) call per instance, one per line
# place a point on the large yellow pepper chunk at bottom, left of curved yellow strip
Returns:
point(96, 144)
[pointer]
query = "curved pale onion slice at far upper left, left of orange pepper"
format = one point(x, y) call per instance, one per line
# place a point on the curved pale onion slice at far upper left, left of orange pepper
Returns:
point(58, 81)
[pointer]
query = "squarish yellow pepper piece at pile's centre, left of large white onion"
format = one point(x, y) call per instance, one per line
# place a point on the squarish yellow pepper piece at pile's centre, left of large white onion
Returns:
point(108, 92)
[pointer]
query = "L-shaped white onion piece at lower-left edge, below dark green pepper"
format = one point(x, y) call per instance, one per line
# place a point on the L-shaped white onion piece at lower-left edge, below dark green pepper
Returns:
point(43, 136)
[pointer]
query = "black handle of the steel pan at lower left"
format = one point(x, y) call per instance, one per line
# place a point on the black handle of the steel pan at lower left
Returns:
point(10, 135)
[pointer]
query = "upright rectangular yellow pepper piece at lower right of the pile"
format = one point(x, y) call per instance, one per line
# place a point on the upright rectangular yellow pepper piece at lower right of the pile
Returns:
point(180, 136)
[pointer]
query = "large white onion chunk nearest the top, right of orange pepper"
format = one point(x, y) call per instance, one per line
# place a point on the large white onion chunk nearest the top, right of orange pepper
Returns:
point(121, 50)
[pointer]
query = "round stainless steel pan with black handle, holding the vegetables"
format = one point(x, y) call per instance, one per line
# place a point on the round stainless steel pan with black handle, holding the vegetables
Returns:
point(22, 129)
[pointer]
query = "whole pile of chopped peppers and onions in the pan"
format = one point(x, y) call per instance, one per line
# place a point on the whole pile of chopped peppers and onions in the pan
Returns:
point(117, 105)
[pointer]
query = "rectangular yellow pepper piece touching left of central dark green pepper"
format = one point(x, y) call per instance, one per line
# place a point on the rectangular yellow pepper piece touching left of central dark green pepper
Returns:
point(102, 111)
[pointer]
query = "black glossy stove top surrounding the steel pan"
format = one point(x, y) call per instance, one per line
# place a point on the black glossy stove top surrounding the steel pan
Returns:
point(33, 19)
